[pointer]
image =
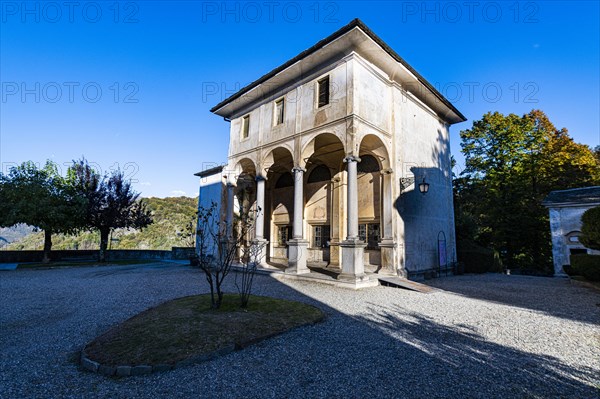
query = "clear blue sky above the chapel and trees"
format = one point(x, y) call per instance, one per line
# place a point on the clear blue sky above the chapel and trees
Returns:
point(130, 84)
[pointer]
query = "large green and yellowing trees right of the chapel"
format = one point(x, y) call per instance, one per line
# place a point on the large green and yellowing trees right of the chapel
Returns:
point(512, 163)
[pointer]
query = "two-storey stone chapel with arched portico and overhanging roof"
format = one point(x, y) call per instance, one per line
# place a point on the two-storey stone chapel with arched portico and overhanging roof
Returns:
point(335, 147)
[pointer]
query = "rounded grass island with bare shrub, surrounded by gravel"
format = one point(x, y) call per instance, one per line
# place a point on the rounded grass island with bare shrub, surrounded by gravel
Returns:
point(187, 327)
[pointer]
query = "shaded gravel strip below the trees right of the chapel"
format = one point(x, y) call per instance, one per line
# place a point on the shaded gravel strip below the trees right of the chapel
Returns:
point(554, 296)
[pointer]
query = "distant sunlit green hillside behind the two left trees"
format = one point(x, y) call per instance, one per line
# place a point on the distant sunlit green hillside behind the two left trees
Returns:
point(171, 218)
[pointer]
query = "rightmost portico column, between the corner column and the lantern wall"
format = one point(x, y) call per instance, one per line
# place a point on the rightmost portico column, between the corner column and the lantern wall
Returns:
point(387, 244)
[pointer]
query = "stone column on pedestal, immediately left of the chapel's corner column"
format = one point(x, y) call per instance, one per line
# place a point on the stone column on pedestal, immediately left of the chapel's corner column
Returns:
point(298, 246)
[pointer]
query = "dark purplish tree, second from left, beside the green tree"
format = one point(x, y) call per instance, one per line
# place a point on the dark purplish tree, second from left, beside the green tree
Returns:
point(111, 202)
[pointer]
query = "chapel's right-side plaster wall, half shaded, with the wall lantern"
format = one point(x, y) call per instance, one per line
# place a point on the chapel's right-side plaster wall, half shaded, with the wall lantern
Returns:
point(422, 149)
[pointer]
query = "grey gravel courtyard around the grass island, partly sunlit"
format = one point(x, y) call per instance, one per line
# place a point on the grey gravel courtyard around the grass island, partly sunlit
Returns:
point(479, 337)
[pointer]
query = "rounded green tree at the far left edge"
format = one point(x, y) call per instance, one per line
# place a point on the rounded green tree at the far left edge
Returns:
point(41, 198)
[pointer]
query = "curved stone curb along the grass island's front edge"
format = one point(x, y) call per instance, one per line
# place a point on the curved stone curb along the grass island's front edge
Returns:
point(142, 369)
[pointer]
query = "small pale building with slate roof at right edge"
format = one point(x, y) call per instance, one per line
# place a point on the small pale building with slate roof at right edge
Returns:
point(566, 208)
